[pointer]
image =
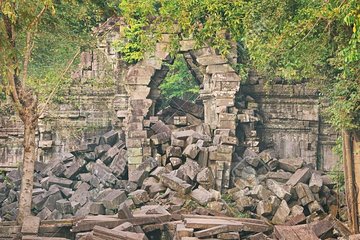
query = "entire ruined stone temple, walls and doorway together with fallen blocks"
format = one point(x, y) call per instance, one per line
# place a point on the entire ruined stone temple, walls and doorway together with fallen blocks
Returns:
point(112, 163)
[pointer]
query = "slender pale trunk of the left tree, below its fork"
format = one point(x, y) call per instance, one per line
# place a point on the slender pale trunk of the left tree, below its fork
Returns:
point(30, 123)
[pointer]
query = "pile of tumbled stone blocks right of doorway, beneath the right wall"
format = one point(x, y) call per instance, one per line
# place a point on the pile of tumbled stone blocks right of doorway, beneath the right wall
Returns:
point(282, 190)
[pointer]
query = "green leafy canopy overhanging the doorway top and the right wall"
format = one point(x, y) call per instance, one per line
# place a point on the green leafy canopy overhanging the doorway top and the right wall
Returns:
point(314, 41)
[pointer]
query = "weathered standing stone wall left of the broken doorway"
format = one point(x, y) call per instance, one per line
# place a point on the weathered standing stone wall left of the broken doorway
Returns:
point(87, 108)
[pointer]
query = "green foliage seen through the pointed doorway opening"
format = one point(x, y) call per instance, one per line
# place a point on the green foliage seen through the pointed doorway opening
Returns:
point(179, 82)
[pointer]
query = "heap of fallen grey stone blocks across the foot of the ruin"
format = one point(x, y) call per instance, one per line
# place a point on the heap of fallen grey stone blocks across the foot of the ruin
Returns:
point(180, 172)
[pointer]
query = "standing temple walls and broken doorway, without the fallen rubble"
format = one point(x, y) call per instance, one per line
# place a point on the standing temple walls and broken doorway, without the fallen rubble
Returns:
point(108, 94)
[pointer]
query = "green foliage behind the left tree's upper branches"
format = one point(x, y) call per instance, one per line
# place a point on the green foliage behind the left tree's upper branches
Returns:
point(63, 29)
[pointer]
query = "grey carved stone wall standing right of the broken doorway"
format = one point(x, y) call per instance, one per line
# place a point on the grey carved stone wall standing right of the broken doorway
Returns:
point(292, 122)
